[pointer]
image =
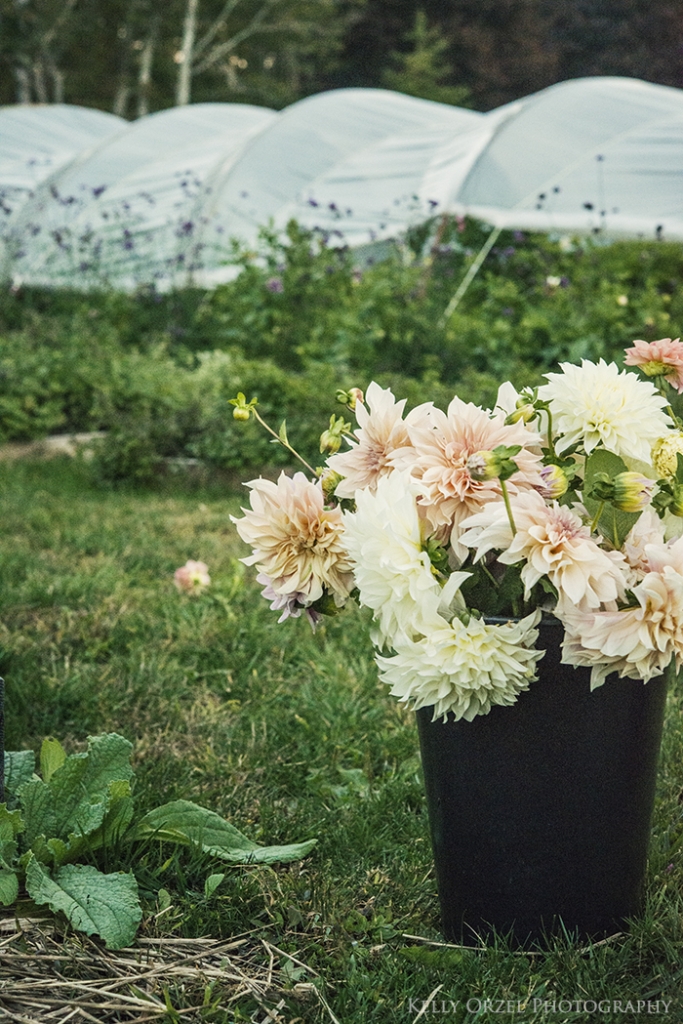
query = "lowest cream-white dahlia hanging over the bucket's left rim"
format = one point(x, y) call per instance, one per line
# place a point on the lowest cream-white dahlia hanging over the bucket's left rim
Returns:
point(464, 669)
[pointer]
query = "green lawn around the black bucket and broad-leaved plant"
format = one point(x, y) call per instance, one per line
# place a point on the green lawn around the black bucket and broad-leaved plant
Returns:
point(291, 737)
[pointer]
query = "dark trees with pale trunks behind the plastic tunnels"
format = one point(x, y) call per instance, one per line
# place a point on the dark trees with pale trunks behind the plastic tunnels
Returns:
point(134, 57)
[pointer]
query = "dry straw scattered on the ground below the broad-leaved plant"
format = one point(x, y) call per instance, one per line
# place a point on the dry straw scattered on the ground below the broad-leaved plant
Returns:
point(46, 977)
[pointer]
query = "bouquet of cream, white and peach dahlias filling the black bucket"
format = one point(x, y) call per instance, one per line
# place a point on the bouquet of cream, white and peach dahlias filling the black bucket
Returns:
point(459, 530)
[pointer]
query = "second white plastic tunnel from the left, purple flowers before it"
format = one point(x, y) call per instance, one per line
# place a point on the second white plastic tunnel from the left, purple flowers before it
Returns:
point(127, 212)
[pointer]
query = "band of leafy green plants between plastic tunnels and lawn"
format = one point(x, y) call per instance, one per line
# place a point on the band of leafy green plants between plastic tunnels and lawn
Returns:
point(302, 319)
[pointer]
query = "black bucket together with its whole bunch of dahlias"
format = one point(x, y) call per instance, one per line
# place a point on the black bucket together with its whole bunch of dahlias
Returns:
point(524, 568)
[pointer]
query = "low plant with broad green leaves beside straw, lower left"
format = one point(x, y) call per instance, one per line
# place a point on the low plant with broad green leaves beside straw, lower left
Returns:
point(75, 805)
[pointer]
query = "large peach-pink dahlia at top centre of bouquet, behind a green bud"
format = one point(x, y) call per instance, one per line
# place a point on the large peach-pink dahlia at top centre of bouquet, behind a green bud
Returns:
point(442, 445)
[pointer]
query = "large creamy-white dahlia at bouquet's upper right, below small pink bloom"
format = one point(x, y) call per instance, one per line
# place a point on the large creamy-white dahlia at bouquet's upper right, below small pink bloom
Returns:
point(597, 404)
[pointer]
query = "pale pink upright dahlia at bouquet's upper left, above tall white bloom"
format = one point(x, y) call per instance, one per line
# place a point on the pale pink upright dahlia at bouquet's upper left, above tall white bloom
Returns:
point(381, 432)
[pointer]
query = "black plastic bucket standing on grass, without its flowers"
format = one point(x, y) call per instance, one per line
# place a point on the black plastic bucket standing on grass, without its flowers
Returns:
point(540, 813)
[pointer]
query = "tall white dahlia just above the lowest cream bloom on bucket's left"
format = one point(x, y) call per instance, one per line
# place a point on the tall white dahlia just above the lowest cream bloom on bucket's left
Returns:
point(393, 573)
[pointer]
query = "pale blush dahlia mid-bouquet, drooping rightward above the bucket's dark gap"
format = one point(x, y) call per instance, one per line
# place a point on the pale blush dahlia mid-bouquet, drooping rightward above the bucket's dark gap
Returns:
point(553, 542)
